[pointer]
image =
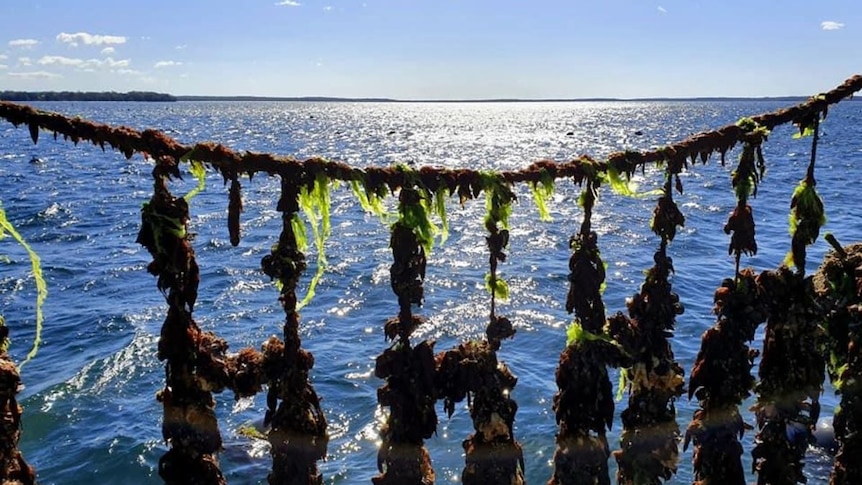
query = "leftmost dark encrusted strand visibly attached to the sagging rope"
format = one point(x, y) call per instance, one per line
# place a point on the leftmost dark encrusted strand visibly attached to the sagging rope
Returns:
point(192, 370)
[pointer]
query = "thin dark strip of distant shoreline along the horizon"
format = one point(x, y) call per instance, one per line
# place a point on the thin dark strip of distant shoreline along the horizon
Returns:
point(146, 96)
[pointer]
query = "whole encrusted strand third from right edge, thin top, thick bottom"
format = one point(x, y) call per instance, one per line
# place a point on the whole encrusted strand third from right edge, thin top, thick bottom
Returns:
point(721, 378)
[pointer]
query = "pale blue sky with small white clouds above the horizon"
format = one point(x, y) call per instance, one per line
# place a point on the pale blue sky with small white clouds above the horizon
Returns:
point(415, 49)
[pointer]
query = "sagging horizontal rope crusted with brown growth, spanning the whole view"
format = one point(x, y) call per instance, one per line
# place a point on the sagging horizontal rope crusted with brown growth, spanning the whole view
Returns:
point(230, 163)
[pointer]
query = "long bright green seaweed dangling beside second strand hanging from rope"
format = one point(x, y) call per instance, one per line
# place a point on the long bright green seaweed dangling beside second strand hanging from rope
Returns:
point(316, 205)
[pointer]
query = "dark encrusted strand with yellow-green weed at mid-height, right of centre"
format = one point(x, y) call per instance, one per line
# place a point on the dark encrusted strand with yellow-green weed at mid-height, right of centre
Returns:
point(584, 405)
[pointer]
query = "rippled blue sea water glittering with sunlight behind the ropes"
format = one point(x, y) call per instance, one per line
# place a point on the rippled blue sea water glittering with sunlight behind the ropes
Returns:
point(90, 411)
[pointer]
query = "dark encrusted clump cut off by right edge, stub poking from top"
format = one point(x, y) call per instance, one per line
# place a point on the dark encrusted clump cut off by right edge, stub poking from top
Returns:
point(838, 286)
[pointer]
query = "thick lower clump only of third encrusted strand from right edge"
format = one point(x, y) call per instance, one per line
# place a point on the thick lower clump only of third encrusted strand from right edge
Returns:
point(721, 380)
